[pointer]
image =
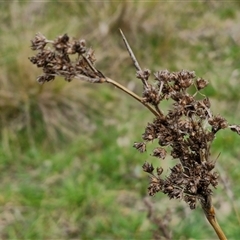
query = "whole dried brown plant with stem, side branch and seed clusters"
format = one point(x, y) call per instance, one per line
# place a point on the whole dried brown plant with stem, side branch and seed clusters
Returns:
point(186, 131)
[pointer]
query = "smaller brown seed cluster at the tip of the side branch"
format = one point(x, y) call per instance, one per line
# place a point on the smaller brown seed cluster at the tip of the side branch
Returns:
point(56, 61)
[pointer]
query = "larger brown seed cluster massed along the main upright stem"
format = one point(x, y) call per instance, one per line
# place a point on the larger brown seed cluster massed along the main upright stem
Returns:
point(186, 131)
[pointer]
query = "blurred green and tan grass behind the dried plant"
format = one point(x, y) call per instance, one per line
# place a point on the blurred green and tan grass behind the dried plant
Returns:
point(68, 169)
